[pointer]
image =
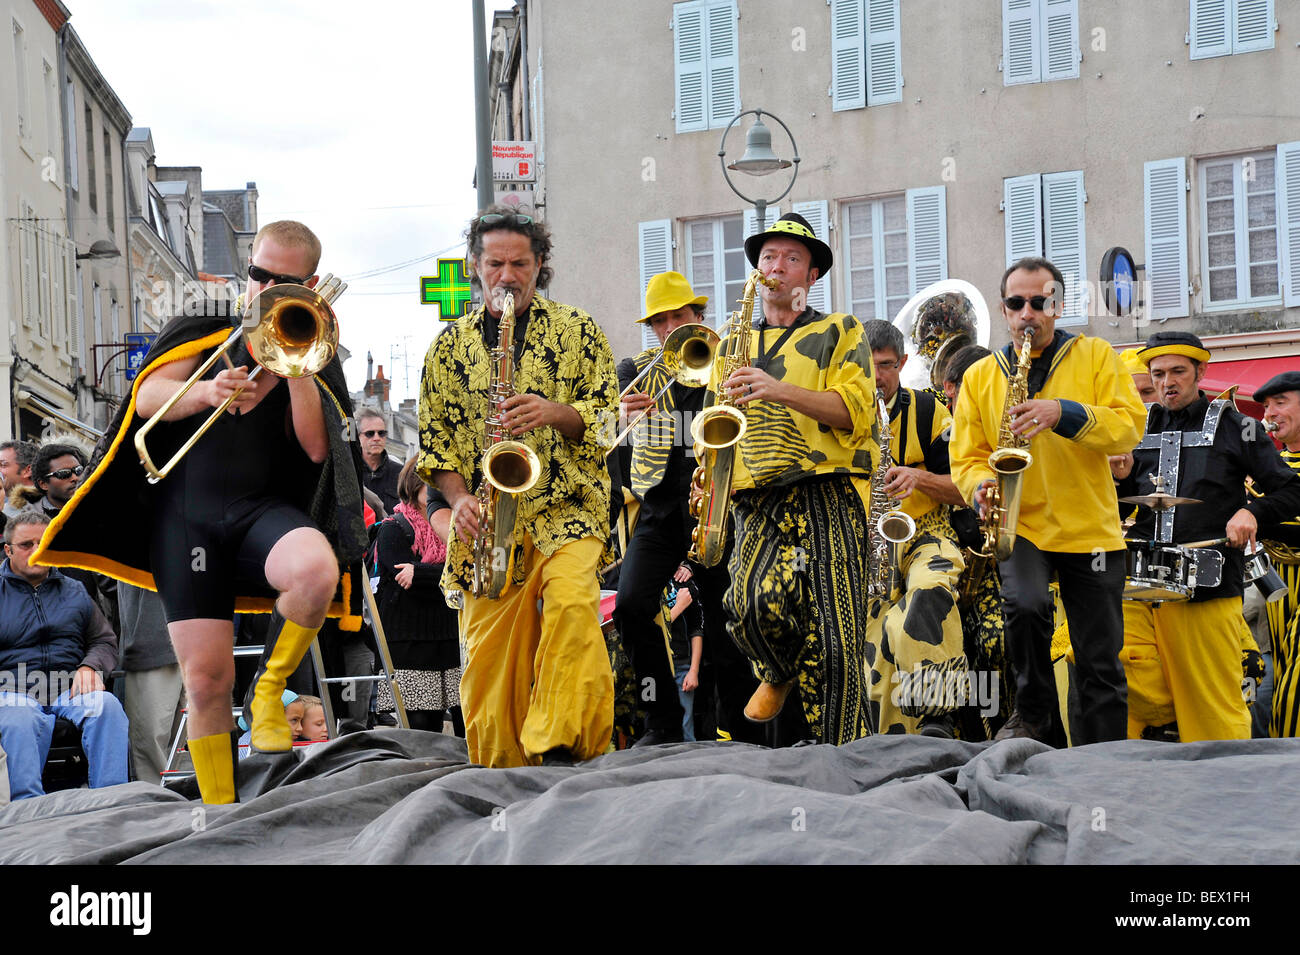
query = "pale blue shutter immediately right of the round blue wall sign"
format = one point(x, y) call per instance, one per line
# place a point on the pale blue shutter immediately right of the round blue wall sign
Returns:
point(1165, 199)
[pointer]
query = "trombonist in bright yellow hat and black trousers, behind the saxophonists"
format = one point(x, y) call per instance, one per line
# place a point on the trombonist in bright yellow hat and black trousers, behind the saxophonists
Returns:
point(664, 462)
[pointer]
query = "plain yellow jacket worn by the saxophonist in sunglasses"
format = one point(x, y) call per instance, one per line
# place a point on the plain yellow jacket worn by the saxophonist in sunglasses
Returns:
point(1100, 415)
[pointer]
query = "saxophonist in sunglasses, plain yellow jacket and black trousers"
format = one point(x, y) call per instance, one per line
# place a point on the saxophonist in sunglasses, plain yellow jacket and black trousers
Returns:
point(1081, 409)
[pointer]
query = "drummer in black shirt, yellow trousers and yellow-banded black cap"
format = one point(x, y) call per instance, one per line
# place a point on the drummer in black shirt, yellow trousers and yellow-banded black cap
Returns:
point(1184, 658)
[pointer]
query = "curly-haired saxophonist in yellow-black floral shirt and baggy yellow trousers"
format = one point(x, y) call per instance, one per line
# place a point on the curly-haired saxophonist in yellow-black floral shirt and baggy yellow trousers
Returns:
point(538, 685)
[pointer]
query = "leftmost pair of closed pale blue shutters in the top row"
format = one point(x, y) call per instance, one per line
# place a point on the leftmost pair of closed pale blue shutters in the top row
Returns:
point(707, 64)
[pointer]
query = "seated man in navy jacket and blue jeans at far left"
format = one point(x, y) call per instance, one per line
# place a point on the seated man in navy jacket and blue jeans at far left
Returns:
point(55, 646)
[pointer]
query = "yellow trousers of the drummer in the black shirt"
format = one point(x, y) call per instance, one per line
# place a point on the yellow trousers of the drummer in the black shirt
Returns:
point(1184, 662)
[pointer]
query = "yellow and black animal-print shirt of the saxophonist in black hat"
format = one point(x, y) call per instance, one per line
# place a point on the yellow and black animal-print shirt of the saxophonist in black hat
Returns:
point(825, 353)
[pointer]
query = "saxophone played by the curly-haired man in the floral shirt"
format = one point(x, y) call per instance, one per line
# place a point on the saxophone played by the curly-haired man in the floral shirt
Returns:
point(509, 468)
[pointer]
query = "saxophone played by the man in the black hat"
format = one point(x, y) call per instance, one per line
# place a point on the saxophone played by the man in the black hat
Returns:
point(718, 429)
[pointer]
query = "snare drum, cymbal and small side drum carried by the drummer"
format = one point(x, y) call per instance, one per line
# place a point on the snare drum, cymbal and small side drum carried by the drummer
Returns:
point(1162, 572)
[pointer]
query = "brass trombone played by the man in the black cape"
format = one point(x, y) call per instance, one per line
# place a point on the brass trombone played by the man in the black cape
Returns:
point(291, 331)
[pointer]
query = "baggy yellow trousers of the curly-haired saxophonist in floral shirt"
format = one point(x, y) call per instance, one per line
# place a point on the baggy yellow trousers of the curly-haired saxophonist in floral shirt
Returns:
point(538, 674)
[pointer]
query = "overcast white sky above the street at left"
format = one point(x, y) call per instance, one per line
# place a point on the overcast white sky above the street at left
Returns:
point(361, 125)
